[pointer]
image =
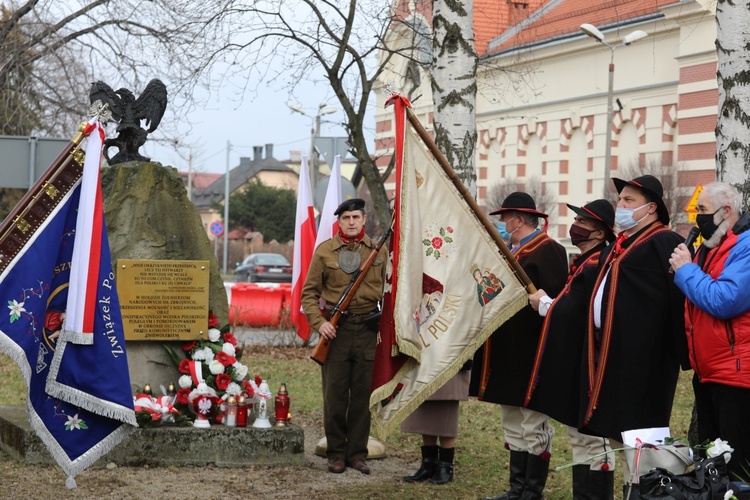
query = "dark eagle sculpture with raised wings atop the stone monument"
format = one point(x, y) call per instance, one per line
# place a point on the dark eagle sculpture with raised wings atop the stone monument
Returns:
point(128, 112)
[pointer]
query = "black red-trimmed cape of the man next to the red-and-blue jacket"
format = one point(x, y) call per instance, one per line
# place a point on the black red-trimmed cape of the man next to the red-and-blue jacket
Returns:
point(632, 363)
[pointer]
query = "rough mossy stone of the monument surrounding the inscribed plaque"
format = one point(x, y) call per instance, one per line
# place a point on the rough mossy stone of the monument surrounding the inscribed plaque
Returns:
point(149, 216)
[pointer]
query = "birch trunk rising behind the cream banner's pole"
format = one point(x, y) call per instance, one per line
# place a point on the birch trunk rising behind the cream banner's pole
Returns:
point(454, 87)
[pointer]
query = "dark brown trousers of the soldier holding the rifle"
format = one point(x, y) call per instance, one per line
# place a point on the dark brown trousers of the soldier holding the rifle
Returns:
point(347, 375)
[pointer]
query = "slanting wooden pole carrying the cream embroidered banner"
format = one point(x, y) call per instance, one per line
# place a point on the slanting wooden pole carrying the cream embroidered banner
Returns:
point(509, 257)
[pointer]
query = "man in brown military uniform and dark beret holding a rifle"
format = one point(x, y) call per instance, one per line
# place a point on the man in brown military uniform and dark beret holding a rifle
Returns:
point(347, 372)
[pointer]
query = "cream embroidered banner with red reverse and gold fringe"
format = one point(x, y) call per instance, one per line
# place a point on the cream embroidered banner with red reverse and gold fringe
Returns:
point(448, 287)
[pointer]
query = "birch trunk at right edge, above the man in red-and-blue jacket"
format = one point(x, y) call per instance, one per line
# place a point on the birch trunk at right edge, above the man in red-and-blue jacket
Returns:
point(733, 74)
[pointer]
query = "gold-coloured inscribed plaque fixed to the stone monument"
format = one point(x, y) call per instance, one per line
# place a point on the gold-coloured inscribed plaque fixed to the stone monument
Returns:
point(163, 299)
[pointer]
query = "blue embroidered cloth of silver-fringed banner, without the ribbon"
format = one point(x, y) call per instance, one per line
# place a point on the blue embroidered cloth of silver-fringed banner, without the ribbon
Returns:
point(79, 398)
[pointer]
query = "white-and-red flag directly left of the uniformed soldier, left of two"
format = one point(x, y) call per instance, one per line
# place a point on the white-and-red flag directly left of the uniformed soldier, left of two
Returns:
point(304, 245)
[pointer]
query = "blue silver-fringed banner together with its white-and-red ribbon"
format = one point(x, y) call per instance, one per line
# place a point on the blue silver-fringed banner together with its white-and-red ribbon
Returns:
point(79, 399)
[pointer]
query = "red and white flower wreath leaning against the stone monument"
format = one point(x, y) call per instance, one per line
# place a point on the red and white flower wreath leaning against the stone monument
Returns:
point(211, 372)
